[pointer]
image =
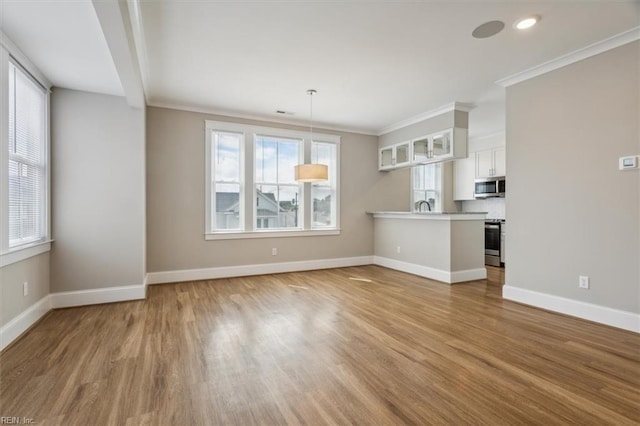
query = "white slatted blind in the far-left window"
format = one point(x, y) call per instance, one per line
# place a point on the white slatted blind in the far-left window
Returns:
point(27, 159)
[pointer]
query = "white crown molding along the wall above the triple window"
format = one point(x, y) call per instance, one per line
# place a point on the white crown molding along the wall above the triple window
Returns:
point(258, 117)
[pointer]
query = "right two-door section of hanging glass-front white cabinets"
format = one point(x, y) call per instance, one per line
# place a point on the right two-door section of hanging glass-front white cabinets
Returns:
point(440, 146)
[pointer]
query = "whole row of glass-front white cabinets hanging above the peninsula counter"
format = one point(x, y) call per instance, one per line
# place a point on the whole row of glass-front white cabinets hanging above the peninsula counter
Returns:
point(436, 147)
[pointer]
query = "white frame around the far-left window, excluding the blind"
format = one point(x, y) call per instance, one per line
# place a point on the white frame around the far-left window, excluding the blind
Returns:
point(9, 255)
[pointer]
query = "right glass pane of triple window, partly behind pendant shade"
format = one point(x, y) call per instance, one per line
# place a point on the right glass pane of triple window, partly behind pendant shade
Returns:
point(323, 194)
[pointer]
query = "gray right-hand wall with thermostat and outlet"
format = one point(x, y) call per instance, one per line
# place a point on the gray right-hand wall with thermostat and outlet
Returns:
point(570, 210)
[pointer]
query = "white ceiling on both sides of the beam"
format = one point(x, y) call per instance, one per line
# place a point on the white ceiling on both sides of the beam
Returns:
point(373, 63)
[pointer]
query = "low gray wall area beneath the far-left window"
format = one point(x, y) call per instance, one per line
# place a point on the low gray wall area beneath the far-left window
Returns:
point(34, 270)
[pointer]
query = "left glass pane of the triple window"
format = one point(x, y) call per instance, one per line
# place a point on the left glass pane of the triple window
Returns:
point(227, 169)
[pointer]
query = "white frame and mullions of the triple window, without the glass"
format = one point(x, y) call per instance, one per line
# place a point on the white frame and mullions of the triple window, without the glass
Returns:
point(250, 230)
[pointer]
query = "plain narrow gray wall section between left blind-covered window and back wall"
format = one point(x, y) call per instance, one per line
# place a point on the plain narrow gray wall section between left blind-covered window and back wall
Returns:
point(98, 194)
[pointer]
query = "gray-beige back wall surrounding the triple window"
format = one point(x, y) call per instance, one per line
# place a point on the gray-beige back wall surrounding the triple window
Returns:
point(176, 210)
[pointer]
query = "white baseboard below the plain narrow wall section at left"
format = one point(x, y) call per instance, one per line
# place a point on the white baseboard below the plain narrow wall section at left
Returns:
point(97, 296)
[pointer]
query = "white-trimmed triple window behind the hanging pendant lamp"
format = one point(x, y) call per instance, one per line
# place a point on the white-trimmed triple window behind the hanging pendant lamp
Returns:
point(264, 199)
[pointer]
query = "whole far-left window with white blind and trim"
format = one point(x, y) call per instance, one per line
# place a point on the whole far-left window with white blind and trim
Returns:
point(24, 162)
